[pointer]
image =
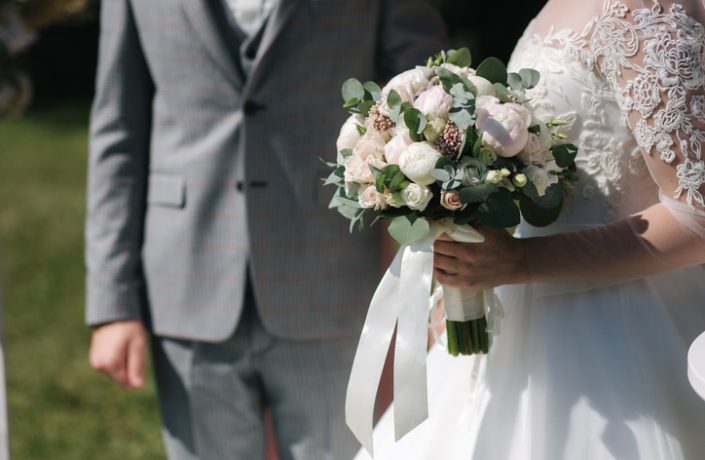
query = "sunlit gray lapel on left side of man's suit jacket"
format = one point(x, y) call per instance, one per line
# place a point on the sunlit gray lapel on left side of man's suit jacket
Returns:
point(199, 14)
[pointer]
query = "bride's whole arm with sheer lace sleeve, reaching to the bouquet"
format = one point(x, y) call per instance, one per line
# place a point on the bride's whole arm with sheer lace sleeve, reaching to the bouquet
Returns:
point(660, 83)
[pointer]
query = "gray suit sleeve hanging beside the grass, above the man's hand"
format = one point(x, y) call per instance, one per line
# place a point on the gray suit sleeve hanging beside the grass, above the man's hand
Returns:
point(117, 170)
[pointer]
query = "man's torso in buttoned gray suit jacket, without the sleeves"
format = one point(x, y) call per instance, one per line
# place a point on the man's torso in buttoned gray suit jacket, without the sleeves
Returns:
point(236, 138)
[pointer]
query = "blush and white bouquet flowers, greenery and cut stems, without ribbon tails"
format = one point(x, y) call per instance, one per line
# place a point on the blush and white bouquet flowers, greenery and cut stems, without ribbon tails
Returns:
point(448, 144)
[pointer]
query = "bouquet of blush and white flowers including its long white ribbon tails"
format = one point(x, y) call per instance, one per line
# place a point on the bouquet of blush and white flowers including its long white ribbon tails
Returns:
point(440, 148)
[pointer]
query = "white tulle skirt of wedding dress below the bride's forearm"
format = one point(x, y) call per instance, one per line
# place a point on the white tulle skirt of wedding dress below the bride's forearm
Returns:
point(577, 373)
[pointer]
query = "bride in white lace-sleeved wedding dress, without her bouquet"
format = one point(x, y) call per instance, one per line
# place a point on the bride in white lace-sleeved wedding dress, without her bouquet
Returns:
point(602, 305)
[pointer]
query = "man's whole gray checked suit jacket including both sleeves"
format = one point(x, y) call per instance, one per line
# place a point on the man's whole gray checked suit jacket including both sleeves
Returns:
point(198, 172)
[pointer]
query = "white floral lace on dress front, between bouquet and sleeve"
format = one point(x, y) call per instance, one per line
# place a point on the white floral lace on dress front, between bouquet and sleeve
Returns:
point(607, 163)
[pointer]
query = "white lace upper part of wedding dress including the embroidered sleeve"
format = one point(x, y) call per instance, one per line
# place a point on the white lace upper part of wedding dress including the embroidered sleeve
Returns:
point(623, 61)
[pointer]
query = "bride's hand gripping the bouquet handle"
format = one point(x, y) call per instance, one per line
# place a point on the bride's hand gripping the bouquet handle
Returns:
point(500, 259)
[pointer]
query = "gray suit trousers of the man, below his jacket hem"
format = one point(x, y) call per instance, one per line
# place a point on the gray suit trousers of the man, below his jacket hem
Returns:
point(212, 395)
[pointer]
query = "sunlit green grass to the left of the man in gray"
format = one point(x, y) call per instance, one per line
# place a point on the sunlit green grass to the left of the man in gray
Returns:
point(59, 408)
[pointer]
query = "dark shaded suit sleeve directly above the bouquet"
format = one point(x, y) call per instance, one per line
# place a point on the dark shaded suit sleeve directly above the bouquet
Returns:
point(410, 32)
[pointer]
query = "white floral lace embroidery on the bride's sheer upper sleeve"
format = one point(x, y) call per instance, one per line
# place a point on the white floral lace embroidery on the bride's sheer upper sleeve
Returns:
point(665, 85)
